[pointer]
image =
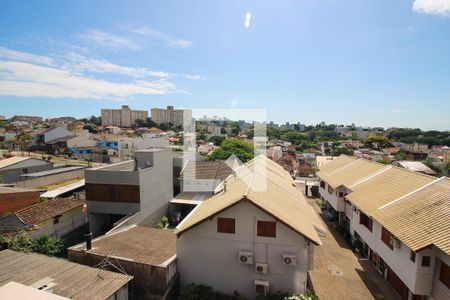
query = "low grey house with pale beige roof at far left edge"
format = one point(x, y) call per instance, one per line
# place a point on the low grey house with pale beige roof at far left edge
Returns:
point(12, 168)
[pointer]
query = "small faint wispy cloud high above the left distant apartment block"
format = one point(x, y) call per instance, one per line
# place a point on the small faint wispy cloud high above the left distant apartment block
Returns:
point(105, 39)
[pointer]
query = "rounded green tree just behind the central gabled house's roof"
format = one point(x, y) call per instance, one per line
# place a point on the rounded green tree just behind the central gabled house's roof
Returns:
point(243, 150)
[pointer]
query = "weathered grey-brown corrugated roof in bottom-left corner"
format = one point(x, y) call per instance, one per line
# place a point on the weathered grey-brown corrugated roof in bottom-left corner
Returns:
point(72, 280)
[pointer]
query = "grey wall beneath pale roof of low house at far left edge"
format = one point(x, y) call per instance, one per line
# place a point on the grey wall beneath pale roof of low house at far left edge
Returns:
point(12, 173)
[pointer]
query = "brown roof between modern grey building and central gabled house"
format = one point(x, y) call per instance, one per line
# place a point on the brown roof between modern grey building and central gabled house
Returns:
point(212, 170)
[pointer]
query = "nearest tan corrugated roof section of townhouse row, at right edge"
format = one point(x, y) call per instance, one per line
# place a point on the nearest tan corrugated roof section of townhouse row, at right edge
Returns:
point(422, 218)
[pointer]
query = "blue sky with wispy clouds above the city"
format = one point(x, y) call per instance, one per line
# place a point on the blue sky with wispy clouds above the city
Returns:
point(384, 63)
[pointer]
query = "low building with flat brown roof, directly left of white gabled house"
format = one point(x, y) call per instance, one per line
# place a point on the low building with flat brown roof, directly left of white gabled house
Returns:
point(147, 254)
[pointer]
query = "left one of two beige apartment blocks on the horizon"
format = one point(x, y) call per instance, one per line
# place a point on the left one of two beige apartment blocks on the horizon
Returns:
point(124, 117)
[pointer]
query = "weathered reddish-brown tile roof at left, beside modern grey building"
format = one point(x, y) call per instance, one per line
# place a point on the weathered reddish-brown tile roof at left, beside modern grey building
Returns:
point(40, 212)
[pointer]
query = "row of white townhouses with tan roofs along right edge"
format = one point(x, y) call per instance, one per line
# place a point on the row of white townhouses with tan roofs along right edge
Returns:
point(399, 217)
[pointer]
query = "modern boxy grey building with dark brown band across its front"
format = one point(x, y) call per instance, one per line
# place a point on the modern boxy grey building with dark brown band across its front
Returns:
point(139, 188)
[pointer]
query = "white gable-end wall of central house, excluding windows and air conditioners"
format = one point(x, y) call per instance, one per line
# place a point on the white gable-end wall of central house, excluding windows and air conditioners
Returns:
point(211, 258)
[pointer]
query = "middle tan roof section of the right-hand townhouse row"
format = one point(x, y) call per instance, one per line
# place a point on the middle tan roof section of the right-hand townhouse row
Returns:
point(385, 187)
